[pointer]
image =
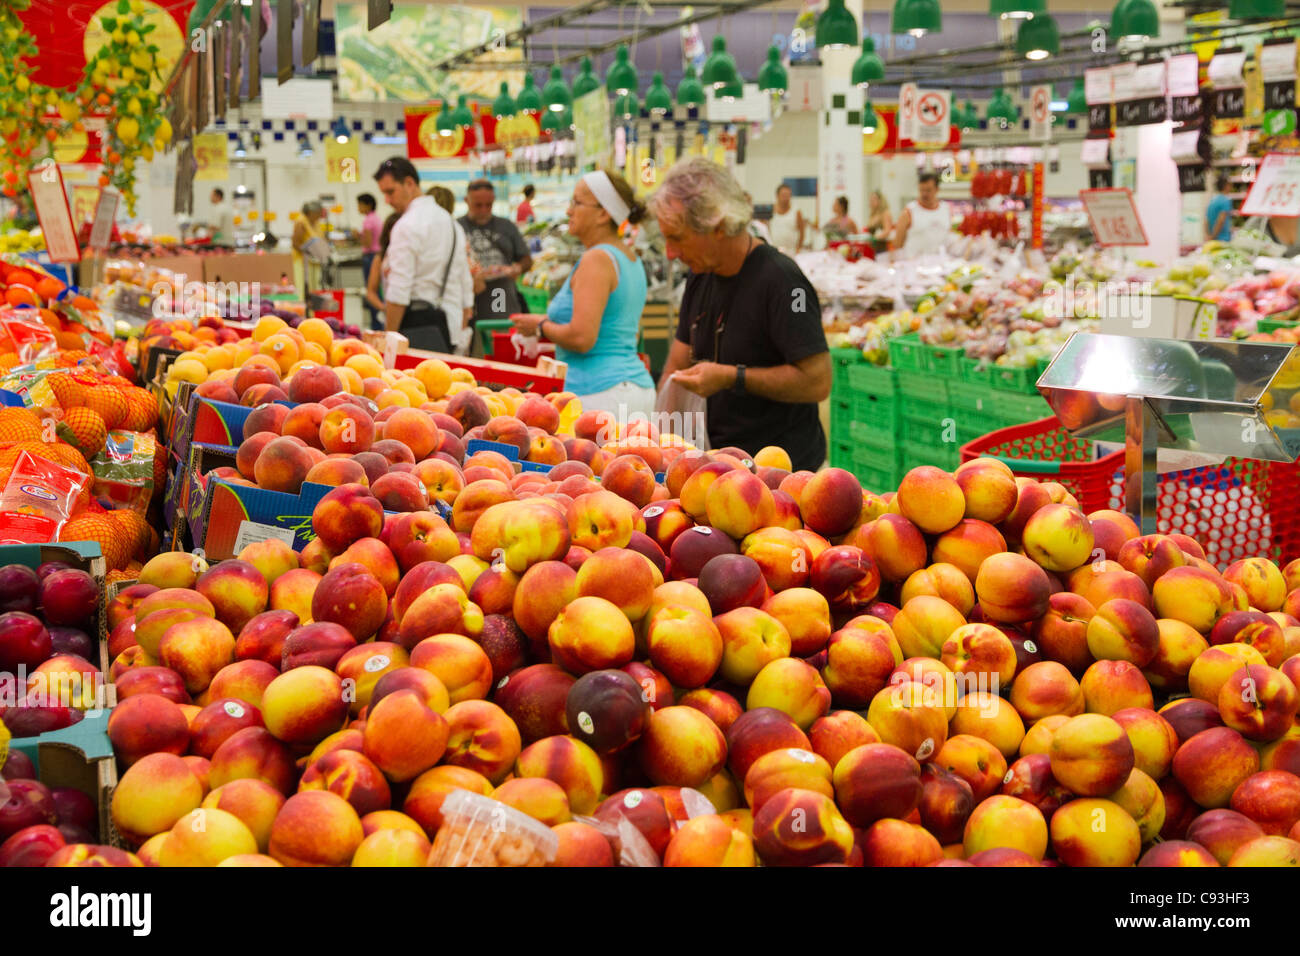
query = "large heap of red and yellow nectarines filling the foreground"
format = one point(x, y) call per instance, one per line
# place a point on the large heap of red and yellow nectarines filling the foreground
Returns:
point(735, 667)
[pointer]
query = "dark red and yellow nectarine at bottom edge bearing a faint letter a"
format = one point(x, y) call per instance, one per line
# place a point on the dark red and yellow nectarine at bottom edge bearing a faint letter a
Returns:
point(799, 828)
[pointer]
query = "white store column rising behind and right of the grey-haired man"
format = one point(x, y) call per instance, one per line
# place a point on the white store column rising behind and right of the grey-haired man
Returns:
point(840, 165)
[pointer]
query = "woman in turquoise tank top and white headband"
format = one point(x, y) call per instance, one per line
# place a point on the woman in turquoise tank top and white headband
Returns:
point(595, 318)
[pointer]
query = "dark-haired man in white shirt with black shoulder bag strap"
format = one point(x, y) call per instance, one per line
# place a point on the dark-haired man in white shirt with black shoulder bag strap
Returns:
point(421, 265)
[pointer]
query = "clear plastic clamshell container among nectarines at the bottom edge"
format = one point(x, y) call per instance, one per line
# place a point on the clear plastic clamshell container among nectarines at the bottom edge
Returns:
point(482, 832)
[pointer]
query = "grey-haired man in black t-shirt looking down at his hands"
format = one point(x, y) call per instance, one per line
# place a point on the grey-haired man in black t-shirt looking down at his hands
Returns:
point(749, 332)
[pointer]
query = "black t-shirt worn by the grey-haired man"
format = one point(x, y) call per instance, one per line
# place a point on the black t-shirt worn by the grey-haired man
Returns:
point(765, 315)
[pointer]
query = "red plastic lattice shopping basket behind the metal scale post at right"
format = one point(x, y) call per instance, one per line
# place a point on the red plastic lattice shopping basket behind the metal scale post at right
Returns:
point(1240, 509)
